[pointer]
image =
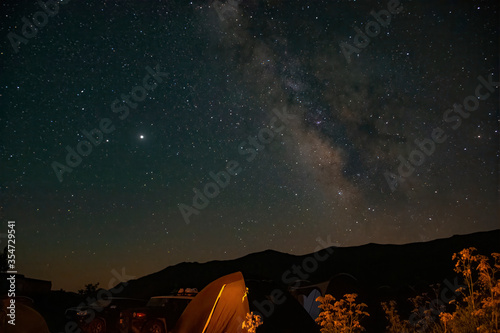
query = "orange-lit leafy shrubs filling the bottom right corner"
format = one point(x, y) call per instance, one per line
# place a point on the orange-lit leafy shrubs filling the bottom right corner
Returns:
point(477, 309)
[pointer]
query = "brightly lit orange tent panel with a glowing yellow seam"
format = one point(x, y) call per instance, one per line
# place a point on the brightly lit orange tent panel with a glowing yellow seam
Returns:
point(222, 304)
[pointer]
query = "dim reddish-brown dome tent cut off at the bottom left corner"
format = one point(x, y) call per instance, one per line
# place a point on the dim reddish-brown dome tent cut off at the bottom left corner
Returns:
point(28, 320)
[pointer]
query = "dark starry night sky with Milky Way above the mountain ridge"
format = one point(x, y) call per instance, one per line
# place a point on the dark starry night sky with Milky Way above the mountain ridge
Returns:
point(208, 130)
